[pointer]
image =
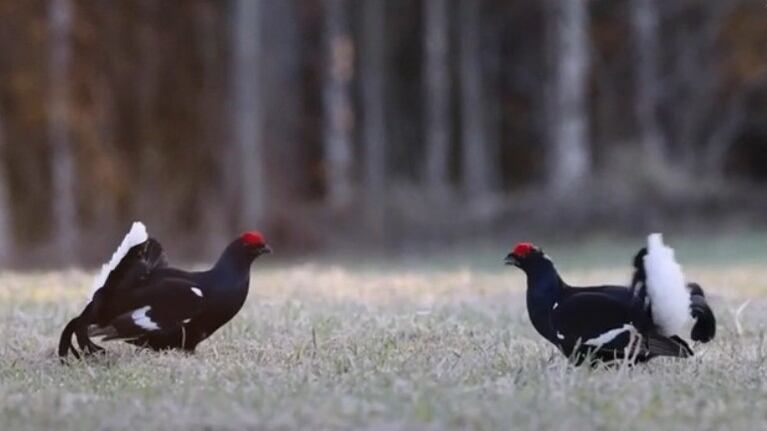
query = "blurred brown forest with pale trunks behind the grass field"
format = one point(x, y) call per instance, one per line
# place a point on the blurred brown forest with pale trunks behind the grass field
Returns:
point(383, 124)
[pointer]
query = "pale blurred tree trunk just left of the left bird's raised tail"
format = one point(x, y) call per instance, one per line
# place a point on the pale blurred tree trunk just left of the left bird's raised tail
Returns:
point(60, 14)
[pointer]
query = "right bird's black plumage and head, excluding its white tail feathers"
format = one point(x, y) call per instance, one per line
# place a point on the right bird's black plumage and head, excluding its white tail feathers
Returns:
point(603, 323)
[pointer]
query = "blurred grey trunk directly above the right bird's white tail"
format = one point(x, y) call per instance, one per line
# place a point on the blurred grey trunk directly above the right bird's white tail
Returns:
point(645, 26)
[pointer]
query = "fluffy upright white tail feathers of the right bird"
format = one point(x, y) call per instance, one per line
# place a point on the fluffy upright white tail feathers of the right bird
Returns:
point(666, 288)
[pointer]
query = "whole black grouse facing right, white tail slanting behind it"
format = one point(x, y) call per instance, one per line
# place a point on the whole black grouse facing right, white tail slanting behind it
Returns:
point(139, 299)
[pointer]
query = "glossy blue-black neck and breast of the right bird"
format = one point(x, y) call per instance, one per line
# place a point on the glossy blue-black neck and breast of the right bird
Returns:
point(544, 289)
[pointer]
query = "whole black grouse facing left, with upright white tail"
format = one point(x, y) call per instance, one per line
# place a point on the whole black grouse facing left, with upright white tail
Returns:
point(609, 323)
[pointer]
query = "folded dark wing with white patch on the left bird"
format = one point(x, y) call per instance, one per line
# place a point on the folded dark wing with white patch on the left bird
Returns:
point(155, 309)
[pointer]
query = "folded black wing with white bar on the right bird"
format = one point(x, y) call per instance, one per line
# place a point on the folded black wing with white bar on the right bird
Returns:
point(593, 319)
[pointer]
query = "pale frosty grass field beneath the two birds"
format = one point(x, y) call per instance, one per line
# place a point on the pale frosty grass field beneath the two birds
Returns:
point(396, 347)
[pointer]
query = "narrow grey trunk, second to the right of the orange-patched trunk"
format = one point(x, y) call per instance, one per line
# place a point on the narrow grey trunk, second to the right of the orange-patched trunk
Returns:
point(437, 95)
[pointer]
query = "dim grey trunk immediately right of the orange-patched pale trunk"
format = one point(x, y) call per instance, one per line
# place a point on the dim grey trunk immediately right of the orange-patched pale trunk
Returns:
point(374, 118)
